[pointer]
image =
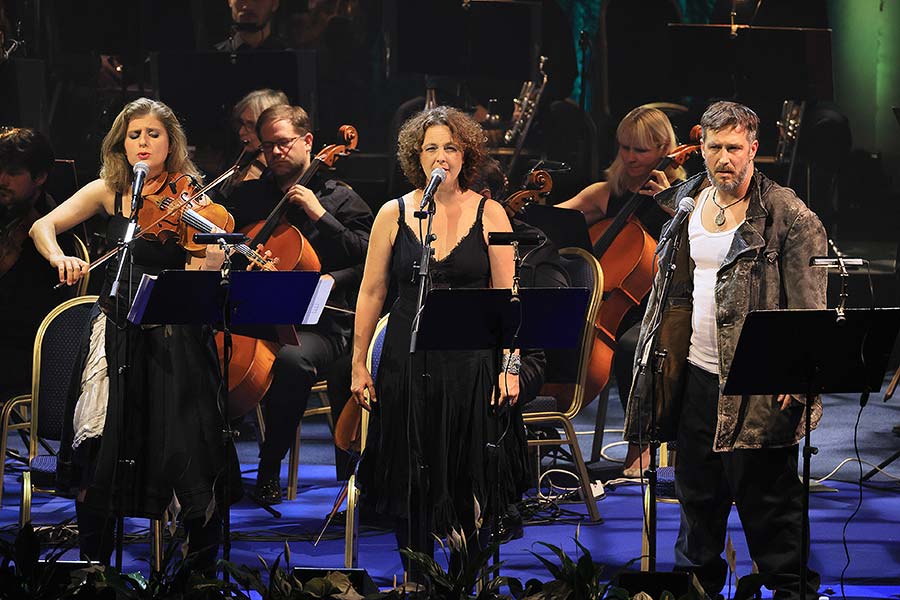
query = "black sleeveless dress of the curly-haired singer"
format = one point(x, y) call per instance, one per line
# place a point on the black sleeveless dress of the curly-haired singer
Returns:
point(449, 420)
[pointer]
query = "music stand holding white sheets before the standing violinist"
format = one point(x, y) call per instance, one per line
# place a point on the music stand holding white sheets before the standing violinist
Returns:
point(255, 303)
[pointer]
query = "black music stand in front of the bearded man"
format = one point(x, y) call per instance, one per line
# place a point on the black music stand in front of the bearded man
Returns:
point(848, 355)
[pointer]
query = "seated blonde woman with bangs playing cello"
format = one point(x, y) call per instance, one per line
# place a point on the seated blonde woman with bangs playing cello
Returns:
point(645, 137)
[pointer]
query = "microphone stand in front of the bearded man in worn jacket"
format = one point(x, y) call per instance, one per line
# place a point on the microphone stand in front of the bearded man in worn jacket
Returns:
point(651, 358)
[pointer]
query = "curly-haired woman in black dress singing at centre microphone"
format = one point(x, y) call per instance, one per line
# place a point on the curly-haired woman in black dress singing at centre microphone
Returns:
point(426, 460)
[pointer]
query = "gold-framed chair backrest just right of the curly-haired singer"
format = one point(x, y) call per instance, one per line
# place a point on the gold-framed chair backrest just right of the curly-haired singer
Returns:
point(570, 367)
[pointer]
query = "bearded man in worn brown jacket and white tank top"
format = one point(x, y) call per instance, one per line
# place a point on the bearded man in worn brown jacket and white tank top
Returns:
point(745, 247)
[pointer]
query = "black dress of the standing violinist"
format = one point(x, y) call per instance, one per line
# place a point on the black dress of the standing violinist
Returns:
point(165, 400)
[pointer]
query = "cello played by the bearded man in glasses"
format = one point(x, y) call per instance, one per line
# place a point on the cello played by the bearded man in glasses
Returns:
point(250, 369)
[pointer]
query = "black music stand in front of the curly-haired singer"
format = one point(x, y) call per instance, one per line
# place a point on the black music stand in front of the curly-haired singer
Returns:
point(487, 318)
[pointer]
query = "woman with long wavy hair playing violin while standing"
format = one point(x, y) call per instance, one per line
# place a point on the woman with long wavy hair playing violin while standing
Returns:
point(141, 394)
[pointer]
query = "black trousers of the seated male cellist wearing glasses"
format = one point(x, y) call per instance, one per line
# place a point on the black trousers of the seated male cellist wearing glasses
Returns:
point(296, 370)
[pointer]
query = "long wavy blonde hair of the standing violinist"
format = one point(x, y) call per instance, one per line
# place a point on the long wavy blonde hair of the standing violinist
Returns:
point(115, 170)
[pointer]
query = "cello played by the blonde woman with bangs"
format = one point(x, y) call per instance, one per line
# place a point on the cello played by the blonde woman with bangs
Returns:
point(626, 254)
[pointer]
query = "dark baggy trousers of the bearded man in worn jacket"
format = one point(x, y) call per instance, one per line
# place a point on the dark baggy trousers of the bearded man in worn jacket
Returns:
point(762, 483)
